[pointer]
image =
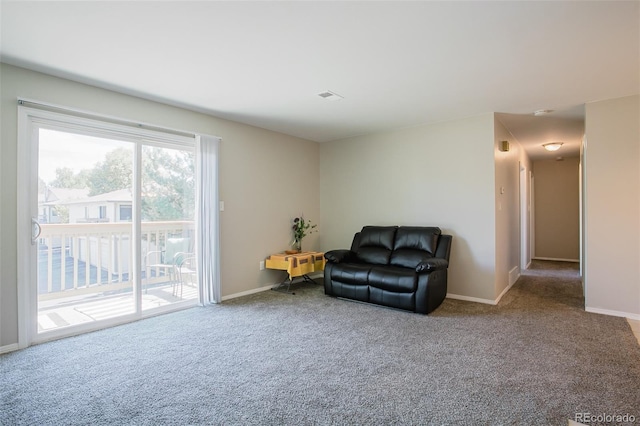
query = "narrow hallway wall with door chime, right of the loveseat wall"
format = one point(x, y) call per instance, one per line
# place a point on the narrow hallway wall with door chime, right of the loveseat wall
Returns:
point(507, 208)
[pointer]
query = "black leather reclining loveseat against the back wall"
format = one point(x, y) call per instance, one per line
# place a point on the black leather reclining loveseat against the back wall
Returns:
point(402, 267)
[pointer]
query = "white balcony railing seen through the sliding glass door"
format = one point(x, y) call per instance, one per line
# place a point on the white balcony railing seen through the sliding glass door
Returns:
point(82, 258)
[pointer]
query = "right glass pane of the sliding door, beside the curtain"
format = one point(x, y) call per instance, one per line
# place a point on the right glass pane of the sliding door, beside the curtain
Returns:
point(167, 229)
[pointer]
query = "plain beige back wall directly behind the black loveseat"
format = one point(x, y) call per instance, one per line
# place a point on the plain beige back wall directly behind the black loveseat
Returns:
point(433, 175)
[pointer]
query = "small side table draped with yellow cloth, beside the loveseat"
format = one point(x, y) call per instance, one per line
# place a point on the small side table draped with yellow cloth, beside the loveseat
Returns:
point(295, 265)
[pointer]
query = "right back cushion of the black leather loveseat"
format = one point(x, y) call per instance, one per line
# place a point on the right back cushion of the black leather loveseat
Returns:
point(413, 245)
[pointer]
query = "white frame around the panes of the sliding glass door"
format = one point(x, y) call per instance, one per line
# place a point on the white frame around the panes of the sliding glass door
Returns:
point(30, 120)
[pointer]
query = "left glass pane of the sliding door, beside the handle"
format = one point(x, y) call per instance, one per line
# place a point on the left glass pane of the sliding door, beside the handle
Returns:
point(84, 249)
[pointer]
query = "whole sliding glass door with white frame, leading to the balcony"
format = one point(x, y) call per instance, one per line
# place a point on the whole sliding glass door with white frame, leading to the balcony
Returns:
point(112, 218)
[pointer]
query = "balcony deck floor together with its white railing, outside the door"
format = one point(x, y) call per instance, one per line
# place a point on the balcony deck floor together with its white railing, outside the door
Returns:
point(84, 272)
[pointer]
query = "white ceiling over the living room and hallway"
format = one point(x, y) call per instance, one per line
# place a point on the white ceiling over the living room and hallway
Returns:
point(396, 64)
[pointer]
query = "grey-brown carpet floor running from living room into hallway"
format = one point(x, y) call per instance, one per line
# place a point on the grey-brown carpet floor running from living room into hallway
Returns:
point(537, 358)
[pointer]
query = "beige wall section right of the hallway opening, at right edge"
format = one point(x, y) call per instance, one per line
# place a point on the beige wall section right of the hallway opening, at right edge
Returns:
point(612, 207)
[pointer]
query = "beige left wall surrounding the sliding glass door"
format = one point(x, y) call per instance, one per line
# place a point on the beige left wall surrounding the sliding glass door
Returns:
point(266, 179)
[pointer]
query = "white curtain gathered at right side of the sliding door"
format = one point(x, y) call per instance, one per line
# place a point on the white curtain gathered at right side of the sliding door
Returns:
point(207, 219)
